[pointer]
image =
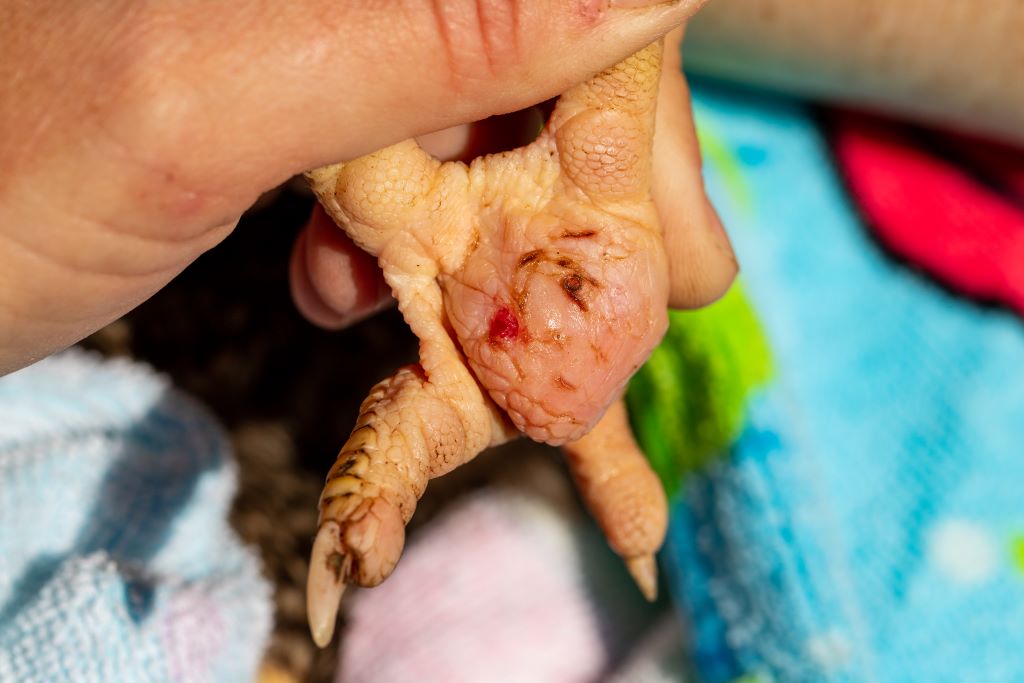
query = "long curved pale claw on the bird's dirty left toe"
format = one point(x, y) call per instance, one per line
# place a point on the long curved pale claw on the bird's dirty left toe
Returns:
point(328, 570)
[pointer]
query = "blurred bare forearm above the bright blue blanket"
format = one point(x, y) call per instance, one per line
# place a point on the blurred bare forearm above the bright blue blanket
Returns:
point(953, 64)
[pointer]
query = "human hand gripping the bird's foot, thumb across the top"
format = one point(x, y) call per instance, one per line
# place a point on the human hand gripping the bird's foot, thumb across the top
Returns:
point(135, 137)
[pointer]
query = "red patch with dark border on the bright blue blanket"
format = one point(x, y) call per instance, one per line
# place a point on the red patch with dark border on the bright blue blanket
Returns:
point(959, 217)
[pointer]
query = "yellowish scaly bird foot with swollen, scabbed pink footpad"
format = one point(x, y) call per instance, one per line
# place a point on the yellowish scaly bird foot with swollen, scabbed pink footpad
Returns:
point(537, 283)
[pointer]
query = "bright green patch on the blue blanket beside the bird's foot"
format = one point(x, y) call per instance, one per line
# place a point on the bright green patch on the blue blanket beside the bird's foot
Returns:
point(688, 403)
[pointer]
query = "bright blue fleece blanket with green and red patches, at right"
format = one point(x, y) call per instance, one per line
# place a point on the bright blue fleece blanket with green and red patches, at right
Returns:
point(846, 468)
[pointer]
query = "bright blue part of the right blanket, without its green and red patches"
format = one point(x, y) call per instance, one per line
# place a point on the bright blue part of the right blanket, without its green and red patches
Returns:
point(867, 525)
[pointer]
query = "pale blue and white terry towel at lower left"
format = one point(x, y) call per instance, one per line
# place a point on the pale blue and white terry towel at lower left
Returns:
point(116, 560)
